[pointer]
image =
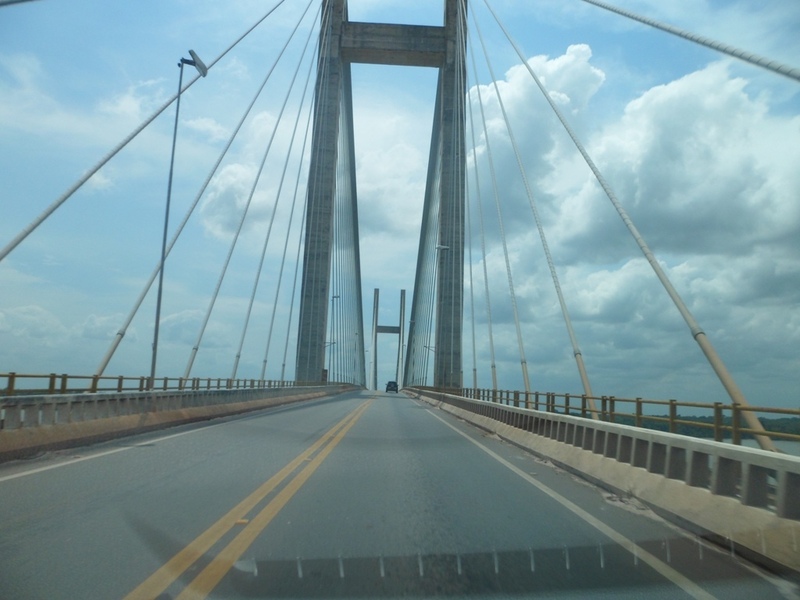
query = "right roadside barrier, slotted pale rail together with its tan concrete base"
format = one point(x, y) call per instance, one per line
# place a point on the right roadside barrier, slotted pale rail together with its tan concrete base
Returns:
point(746, 499)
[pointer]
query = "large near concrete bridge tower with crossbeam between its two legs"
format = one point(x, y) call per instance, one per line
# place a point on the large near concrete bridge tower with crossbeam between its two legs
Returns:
point(332, 180)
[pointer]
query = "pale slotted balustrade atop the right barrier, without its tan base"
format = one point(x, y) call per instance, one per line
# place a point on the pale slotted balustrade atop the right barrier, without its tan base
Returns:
point(756, 477)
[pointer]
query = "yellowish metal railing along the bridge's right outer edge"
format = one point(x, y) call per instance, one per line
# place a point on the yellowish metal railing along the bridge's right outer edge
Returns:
point(726, 419)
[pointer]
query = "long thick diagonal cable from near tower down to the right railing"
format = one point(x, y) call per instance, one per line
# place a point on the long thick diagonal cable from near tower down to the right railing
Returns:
point(735, 394)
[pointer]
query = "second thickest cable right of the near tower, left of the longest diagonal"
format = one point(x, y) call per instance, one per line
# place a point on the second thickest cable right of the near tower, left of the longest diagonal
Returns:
point(576, 351)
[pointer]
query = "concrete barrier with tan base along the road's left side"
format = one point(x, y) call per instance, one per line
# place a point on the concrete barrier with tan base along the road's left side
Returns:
point(30, 425)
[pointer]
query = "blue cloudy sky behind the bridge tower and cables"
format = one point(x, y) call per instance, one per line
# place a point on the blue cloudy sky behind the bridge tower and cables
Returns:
point(702, 151)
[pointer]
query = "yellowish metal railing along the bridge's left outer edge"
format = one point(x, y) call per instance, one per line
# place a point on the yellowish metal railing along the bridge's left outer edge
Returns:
point(12, 384)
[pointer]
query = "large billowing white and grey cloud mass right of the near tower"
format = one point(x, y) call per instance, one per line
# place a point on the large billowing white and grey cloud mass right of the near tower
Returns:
point(704, 168)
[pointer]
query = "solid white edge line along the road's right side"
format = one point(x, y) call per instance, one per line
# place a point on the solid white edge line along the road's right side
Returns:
point(683, 582)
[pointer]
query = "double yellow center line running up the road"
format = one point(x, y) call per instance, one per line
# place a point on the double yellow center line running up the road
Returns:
point(213, 573)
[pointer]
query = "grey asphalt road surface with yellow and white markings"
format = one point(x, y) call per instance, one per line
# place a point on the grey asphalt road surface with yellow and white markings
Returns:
point(362, 495)
